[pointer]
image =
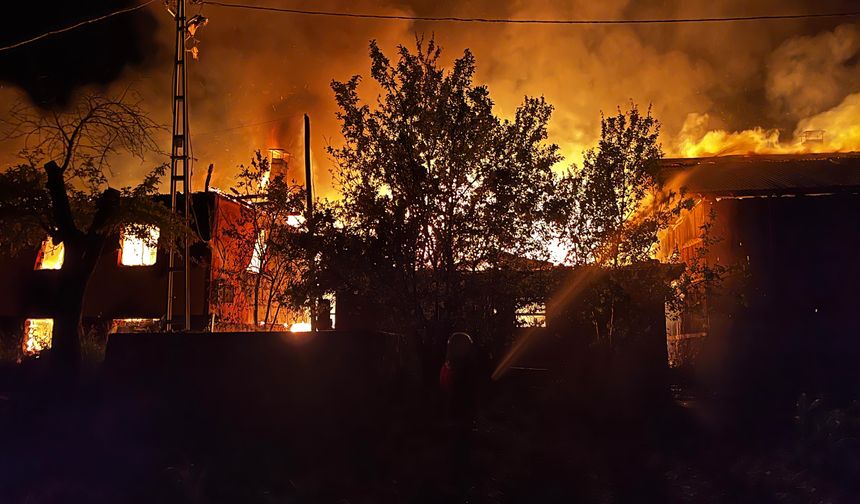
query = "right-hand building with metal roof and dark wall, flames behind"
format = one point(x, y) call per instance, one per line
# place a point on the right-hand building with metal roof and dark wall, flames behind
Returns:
point(786, 228)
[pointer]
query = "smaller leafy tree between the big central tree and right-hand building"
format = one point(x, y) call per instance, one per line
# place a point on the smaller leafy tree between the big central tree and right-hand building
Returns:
point(615, 203)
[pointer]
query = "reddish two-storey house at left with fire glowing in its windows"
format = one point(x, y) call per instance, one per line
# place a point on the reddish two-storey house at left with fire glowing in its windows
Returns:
point(128, 287)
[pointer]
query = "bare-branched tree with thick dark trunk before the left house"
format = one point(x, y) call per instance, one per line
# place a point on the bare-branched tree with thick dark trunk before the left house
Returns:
point(71, 200)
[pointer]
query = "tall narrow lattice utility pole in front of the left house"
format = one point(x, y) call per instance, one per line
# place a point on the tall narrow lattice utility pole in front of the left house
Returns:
point(179, 174)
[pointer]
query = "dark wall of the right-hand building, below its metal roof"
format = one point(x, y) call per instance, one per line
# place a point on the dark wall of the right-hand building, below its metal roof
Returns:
point(788, 309)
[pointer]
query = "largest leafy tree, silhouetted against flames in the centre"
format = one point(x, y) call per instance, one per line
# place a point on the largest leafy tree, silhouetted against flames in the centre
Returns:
point(434, 180)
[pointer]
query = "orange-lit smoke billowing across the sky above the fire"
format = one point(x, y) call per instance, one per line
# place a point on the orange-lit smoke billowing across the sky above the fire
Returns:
point(717, 88)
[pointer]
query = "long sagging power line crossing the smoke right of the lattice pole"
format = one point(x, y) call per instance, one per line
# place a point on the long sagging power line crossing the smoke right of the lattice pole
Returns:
point(456, 19)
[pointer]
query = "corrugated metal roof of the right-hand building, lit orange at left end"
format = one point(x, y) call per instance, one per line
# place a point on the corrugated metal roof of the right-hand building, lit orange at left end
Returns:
point(765, 175)
